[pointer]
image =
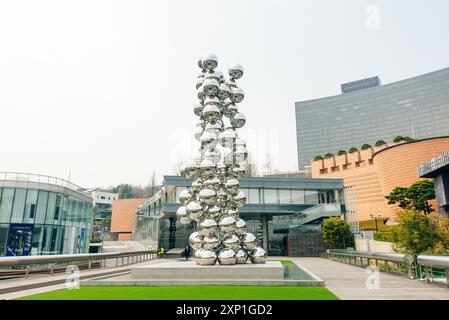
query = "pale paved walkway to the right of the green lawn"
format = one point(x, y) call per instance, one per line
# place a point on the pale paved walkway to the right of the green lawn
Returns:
point(348, 282)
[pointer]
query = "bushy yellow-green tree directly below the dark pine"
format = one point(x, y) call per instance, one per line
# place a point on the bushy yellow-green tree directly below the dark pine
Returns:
point(415, 233)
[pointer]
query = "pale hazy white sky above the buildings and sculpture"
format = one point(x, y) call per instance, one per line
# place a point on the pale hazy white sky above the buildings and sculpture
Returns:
point(105, 89)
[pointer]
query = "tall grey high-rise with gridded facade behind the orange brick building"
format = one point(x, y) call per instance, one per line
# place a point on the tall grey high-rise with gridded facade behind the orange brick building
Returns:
point(366, 112)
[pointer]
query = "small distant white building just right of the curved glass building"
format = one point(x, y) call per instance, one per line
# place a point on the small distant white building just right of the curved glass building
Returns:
point(102, 213)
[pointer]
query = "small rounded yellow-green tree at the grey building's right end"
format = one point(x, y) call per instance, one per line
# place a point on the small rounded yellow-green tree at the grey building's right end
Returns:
point(337, 233)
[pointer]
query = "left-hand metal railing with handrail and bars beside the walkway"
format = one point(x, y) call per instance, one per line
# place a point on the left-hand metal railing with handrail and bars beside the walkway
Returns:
point(25, 265)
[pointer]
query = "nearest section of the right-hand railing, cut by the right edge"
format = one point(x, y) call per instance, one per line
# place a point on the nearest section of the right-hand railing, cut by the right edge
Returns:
point(434, 268)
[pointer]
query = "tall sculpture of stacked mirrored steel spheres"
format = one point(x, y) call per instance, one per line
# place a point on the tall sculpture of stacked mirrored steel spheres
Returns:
point(214, 199)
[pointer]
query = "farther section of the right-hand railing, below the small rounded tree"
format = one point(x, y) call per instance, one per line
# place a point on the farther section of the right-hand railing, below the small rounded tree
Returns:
point(390, 262)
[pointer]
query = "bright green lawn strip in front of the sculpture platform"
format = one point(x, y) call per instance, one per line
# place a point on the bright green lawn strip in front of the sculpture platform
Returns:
point(188, 293)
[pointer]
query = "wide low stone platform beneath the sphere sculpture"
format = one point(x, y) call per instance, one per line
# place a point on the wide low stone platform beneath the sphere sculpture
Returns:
point(271, 273)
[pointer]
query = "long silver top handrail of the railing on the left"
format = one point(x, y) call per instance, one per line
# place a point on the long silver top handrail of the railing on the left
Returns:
point(32, 260)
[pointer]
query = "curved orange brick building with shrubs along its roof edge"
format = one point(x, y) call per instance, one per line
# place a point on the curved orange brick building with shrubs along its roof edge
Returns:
point(373, 173)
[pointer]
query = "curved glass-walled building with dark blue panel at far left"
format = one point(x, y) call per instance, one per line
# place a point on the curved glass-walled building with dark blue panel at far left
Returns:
point(42, 215)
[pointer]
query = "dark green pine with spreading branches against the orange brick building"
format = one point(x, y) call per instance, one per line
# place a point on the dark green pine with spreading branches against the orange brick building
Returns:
point(416, 197)
